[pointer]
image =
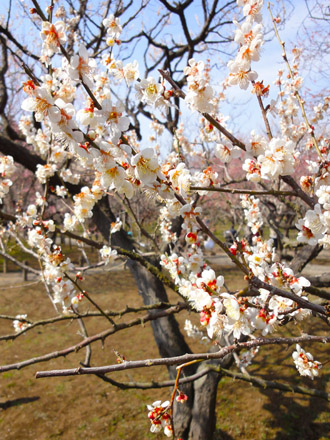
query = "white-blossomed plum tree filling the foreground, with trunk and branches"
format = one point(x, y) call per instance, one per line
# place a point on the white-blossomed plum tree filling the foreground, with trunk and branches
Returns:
point(91, 84)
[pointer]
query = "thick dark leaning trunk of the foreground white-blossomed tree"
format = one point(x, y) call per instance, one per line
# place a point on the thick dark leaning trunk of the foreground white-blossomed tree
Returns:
point(194, 420)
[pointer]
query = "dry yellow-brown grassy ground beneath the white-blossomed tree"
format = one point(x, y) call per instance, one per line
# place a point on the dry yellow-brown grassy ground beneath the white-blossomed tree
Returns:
point(86, 408)
